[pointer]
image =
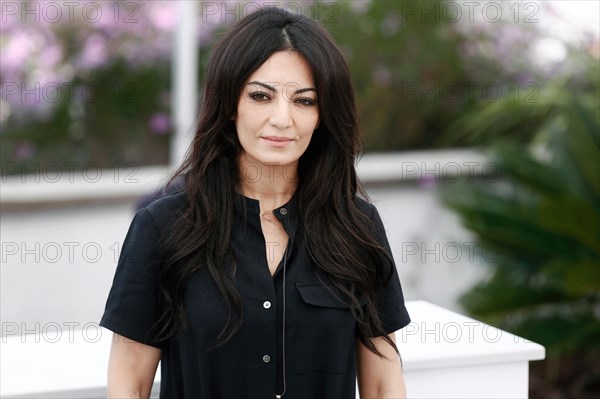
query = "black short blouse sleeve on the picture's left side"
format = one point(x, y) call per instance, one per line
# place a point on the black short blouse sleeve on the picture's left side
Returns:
point(132, 307)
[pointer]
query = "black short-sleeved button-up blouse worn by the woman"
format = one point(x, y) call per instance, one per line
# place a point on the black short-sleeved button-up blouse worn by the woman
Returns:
point(320, 331)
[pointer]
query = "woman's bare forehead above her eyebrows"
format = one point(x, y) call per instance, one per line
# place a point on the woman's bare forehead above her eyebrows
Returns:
point(284, 67)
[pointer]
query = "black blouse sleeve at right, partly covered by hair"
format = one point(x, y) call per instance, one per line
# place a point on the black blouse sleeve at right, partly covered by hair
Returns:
point(390, 299)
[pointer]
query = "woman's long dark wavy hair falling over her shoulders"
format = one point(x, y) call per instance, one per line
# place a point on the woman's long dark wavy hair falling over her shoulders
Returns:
point(339, 236)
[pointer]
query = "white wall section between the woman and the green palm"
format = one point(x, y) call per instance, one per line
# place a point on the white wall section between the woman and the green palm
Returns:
point(426, 241)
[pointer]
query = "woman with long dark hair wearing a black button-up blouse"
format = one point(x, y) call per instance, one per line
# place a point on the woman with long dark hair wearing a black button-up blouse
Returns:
point(266, 276)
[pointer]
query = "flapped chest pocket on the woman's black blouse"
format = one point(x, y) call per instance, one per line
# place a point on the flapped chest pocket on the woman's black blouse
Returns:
point(325, 331)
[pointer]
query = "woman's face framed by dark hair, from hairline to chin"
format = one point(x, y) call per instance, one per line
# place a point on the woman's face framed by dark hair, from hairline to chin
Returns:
point(277, 111)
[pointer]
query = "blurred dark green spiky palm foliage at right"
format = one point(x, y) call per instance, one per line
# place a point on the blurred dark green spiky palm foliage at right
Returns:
point(543, 216)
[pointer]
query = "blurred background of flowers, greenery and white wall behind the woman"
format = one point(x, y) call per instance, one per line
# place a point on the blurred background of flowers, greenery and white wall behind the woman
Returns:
point(482, 131)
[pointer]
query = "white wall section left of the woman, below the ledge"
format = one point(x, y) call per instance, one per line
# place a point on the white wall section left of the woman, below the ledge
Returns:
point(66, 287)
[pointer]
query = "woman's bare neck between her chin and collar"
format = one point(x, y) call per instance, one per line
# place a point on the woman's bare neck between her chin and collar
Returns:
point(272, 185)
